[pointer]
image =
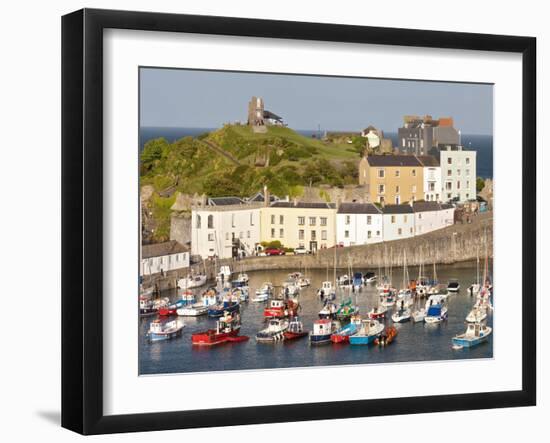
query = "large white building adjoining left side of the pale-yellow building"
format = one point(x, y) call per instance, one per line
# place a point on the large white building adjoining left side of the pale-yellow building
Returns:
point(226, 227)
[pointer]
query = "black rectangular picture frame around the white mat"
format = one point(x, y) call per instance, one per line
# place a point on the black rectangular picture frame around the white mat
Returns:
point(82, 215)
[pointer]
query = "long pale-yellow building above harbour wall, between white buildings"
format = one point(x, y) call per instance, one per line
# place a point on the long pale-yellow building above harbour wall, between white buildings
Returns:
point(299, 224)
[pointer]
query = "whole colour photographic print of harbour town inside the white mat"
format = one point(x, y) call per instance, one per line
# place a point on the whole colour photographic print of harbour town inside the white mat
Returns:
point(291, 221)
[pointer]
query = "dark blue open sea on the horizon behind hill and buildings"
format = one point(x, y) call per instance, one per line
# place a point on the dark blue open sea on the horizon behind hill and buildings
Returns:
point(483, 144)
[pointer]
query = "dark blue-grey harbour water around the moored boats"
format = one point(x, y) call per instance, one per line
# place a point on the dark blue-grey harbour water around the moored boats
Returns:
point(415, 341)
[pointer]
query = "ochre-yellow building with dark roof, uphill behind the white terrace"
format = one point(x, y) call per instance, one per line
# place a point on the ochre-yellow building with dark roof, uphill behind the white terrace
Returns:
point(392, 179)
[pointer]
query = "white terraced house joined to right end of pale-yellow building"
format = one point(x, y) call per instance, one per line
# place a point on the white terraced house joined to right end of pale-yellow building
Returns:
point(358, 224)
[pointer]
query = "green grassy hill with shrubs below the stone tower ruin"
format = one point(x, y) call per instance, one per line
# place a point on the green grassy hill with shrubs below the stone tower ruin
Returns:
point(234, 160)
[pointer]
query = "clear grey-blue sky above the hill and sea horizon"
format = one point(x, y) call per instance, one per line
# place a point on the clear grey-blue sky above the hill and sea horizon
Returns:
point(208, 99)
